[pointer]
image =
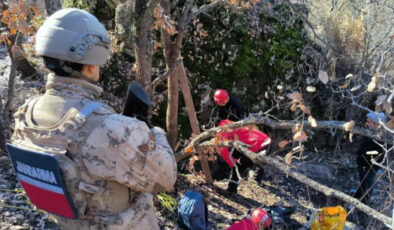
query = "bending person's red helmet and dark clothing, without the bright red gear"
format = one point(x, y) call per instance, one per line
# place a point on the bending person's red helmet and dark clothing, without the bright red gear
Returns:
point(231, 108)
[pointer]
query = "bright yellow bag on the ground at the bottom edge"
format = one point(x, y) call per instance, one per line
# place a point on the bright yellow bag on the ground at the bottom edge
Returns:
point(329, 218)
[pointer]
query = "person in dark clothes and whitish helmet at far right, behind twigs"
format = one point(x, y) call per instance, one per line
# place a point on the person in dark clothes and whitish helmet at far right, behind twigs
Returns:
point(367, 151)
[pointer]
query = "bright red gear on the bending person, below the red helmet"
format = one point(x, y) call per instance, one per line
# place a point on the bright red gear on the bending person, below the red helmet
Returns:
point(255, 138)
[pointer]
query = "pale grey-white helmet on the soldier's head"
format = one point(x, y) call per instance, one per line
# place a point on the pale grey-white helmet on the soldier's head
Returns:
point(74, 35)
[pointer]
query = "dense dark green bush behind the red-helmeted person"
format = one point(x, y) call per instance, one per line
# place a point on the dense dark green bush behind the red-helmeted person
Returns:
point(234, 55)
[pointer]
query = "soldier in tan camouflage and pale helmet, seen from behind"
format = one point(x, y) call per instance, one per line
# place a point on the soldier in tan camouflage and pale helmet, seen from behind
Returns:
point(111, 164)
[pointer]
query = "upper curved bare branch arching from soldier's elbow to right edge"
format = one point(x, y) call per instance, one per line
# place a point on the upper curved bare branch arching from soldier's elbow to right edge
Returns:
point(253, 120)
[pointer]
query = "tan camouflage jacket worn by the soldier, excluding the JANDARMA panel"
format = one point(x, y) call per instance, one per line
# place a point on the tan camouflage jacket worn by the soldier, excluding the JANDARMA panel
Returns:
point(117, 162)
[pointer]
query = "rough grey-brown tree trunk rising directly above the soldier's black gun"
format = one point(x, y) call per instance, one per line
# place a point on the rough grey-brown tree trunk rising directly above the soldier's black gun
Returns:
point(143, 21)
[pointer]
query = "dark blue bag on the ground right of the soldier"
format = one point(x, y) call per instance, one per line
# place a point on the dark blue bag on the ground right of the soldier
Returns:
point(192, 211)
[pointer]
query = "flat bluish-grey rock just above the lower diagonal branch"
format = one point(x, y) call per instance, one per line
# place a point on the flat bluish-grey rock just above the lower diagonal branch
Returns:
point(317, 171)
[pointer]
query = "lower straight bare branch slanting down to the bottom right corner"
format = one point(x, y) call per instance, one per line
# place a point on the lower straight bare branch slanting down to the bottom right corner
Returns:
point(262, 160)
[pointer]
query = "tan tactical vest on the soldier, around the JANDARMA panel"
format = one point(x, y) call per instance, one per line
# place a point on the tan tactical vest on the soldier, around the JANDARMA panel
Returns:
point(95, 200)
